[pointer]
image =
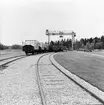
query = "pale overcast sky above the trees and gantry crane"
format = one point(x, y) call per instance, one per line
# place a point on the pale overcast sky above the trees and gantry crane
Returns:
point(28, 19)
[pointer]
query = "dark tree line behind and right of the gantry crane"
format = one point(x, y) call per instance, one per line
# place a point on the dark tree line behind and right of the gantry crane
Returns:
point(83, 43)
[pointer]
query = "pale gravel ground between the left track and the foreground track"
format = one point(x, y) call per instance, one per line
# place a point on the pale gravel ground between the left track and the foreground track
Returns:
point(18, 83)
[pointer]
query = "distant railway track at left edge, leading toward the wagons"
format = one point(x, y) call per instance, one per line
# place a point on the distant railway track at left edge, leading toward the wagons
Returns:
point(6, 61)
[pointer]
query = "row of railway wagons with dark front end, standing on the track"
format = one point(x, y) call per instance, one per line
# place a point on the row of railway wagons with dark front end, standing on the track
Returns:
point(35, 47)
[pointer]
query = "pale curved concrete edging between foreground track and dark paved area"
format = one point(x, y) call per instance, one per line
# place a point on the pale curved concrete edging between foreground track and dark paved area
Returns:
point(94, 91)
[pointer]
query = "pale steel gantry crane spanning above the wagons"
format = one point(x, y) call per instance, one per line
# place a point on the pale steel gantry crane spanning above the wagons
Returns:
point(61, 33)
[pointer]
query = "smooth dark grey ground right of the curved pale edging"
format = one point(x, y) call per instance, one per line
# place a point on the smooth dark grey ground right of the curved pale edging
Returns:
point(85, 65)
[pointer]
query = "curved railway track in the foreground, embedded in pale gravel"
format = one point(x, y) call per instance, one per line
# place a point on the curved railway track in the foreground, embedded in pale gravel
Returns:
point(58, 89)
